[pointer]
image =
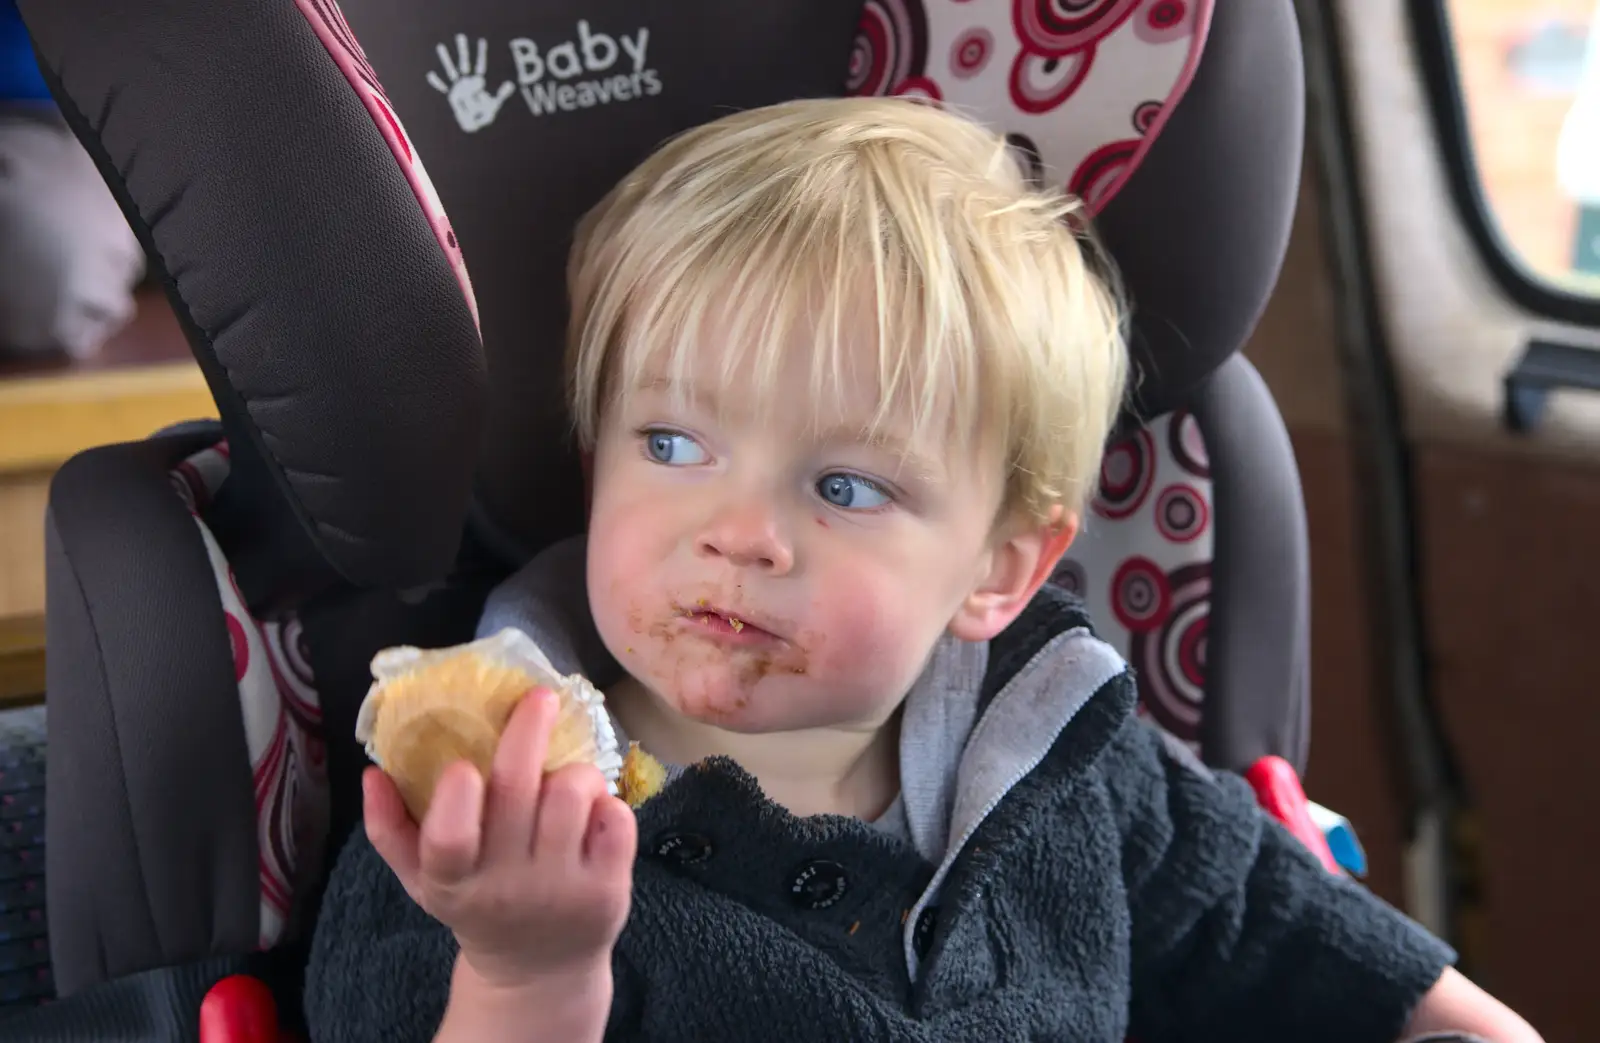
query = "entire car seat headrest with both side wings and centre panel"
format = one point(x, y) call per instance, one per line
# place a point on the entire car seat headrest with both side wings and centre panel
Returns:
point(324, 305)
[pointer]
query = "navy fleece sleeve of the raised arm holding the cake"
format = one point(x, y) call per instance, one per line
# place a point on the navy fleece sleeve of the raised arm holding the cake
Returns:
point(380, 967)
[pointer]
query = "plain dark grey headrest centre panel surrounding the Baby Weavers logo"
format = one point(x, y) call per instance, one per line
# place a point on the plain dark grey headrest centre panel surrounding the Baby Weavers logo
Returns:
point(518, 188)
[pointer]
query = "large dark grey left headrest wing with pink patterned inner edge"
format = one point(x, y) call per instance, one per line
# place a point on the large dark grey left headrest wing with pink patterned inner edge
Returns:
point(308, 262)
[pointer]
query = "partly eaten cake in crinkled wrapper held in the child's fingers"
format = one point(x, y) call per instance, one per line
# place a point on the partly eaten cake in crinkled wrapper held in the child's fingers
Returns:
point(431, 708)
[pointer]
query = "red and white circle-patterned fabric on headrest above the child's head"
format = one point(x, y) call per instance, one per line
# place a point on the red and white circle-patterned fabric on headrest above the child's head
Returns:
point(1089, 82)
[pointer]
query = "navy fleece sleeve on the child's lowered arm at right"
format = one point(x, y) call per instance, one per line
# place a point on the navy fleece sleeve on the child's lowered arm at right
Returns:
point(1238, 932)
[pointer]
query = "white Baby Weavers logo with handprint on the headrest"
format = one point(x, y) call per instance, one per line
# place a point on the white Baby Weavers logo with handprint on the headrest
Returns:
point(582, 73)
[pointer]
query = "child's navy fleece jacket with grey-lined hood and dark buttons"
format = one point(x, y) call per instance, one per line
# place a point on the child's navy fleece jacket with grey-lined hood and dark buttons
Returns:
point(1054, 871)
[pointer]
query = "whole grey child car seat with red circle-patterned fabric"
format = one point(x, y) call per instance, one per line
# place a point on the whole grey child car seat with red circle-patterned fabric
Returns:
point(388, 450)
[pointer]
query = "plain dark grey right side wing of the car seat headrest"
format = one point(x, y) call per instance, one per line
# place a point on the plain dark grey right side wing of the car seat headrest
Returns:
point(1201, 230)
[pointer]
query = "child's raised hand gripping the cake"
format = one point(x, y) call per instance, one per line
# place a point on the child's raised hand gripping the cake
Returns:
point(532, 873)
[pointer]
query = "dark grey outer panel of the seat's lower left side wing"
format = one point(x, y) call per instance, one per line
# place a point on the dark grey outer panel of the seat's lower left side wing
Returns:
point(151, 850)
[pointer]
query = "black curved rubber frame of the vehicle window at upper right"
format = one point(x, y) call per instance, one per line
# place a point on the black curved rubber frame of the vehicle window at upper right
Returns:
point(1436, 49)
